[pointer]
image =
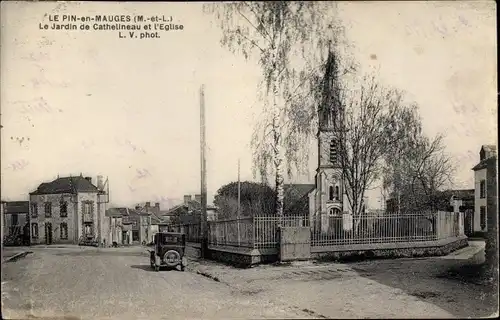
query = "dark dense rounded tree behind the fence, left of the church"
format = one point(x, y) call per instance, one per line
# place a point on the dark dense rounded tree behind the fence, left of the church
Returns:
point(255, 199)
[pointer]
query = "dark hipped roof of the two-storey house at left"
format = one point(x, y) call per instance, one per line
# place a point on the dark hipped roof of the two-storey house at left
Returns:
point(66, 185)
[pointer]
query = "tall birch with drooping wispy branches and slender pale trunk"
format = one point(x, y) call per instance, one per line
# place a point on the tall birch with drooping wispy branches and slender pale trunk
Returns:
point(276, 32)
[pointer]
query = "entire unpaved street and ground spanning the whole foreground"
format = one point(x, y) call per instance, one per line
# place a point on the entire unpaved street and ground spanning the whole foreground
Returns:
point(118, 283)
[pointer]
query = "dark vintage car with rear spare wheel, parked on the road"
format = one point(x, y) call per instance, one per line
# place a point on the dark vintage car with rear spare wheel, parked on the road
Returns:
point(169, 248)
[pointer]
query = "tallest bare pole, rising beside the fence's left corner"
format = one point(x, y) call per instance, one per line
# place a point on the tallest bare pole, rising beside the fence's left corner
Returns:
point(204, 231)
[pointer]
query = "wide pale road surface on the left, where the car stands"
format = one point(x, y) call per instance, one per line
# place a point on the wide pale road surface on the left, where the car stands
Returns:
point(114, 284)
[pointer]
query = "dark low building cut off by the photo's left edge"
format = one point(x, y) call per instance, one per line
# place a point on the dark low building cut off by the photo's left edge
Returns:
point(15, 218)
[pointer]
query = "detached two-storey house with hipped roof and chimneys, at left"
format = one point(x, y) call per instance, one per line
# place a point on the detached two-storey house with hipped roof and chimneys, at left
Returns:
point(68, 210)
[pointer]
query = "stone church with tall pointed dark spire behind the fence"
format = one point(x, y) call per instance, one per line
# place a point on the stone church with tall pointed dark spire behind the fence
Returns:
point(326, 197)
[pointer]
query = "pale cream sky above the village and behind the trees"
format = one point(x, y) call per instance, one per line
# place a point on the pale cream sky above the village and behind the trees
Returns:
point(90, 102)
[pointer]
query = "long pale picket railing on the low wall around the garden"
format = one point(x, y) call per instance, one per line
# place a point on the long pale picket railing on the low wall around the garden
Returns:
point(261, 232)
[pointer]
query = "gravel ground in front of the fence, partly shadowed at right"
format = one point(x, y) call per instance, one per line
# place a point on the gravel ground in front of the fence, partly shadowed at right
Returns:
point(400, 288)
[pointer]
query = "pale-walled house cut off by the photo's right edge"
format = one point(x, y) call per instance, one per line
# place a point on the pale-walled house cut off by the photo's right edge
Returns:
point(487, 158)
